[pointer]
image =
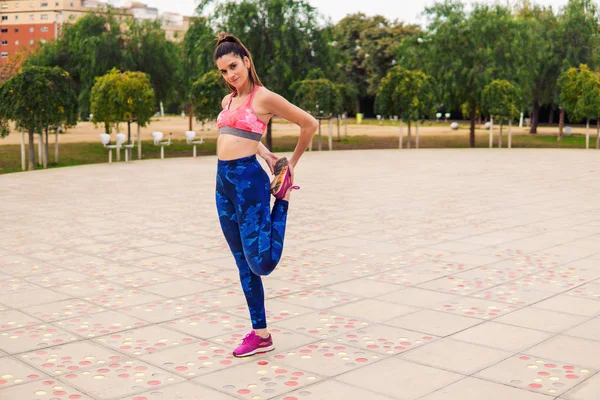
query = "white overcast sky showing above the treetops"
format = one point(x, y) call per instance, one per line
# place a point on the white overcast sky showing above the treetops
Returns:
point(404, 10)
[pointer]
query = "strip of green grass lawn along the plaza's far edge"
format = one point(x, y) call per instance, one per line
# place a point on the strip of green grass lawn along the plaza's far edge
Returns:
point(93, 153)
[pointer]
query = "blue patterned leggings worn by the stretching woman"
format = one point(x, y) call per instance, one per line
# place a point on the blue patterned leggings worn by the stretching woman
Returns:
point(254, 232)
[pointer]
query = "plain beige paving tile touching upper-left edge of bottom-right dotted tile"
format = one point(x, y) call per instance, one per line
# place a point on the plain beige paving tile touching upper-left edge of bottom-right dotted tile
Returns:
point(456, 356)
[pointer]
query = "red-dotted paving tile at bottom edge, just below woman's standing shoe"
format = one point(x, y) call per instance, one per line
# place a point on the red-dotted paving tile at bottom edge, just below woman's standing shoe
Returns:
point(258, 378)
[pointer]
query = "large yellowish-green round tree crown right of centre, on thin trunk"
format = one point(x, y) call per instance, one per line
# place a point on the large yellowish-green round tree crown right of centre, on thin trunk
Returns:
point(408, 94)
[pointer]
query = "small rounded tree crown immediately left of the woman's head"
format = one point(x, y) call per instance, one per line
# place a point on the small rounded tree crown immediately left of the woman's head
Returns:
point(206, 93)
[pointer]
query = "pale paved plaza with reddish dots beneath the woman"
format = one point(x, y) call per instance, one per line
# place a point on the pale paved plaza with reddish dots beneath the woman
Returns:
point(420, 274)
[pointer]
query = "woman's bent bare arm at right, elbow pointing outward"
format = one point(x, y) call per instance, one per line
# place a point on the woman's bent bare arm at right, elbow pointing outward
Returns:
point(279, 106)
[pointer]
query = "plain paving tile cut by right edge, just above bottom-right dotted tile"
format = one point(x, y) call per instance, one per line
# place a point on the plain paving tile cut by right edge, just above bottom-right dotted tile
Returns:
point(570, 350)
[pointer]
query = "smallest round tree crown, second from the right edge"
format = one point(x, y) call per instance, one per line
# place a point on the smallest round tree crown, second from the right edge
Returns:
point(500, 98)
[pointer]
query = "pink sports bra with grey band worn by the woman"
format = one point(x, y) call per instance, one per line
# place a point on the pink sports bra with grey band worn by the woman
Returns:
point(242, 121)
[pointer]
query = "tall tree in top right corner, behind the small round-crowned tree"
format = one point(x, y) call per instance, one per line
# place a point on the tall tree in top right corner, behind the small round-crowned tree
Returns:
point(579, 37)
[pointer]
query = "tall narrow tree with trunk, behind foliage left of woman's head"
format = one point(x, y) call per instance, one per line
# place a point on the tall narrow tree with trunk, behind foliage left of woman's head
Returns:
point(197, 59)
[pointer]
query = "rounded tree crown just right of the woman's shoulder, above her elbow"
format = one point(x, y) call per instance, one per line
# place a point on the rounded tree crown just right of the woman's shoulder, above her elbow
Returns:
point(321, 97)
